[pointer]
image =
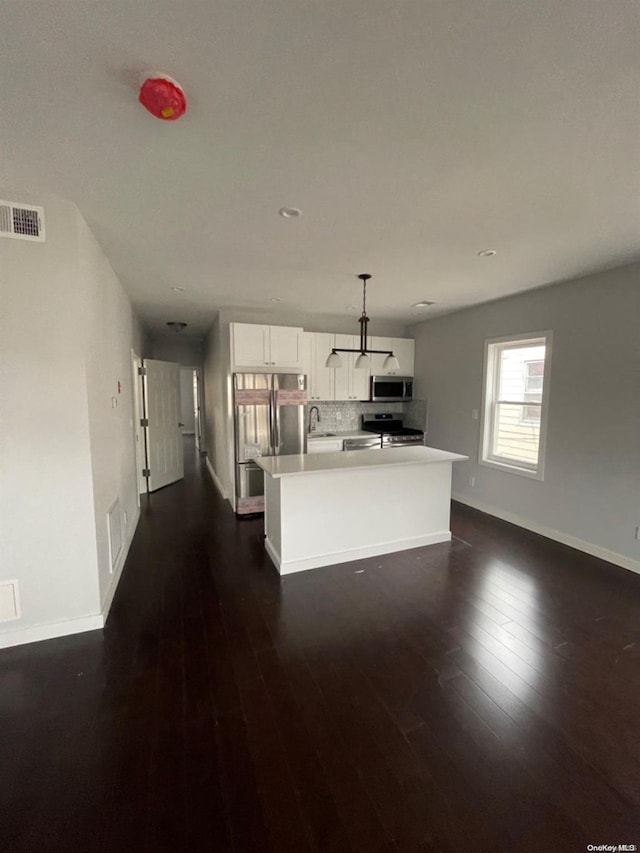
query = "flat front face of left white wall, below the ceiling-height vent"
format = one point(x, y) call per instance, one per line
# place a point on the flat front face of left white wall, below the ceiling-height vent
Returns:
point(46, 496)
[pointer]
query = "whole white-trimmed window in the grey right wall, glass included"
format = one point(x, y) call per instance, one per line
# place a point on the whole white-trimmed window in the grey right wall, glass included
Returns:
point(516, 392)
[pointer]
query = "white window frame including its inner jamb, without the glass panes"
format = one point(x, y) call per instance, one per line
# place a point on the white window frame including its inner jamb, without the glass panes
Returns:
point(493, 347)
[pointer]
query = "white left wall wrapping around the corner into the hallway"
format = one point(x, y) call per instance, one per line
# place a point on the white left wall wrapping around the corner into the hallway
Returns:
point(64, 454)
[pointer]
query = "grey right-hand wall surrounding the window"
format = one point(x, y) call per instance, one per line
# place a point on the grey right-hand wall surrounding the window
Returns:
point(590, 496)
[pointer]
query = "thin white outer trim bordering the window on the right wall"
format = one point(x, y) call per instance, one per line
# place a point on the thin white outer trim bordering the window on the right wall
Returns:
point(536, 473)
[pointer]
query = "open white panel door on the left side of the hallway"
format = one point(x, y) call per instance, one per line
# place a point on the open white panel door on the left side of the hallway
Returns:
point(165, 461)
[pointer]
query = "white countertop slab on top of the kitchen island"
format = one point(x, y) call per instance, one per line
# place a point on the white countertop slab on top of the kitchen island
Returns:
point(311, 463)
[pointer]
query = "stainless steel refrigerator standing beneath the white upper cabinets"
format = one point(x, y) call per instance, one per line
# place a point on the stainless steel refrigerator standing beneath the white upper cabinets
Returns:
point(269, 421)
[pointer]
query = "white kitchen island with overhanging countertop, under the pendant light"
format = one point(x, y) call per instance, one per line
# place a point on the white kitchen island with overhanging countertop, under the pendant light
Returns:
point(328, 508)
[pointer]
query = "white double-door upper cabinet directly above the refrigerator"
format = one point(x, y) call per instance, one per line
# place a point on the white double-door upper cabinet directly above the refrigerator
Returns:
point(258, 347)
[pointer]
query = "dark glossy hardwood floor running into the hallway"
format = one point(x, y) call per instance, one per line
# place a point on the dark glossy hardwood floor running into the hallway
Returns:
point(478, 695)
